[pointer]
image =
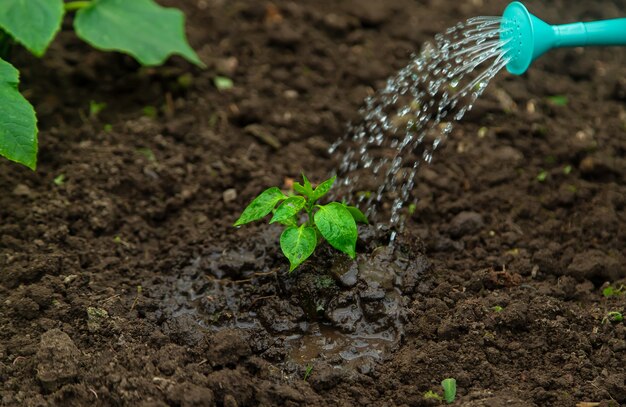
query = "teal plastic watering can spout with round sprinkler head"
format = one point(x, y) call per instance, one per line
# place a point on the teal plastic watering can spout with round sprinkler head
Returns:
point(526, 37)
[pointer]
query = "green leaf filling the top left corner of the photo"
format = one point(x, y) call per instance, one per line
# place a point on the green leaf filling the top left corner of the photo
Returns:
point(33, 23)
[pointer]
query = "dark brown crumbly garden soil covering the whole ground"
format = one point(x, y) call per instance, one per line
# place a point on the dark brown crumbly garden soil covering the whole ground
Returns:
point(497, 280)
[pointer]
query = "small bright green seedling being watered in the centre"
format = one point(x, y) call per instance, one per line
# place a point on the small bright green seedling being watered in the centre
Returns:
point(335, 222)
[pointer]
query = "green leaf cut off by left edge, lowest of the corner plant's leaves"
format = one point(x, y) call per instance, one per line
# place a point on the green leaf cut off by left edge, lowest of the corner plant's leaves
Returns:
point(18, 123)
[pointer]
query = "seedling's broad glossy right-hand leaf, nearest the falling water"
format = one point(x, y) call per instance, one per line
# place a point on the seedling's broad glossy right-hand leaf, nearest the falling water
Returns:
point(338, 227)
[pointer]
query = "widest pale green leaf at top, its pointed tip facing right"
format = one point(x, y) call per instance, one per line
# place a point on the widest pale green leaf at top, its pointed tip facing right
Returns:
point(141, 28)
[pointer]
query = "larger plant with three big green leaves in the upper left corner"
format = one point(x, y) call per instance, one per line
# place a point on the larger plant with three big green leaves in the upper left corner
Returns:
point(141, 28)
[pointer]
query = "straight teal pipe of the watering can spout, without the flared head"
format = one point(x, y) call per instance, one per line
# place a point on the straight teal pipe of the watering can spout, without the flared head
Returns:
point(605, 32)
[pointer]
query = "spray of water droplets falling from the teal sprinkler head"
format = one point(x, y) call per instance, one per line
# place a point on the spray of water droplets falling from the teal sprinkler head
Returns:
point(404, 123)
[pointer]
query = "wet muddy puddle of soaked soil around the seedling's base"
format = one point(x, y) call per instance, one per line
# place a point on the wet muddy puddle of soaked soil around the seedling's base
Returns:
point(343, 312)
